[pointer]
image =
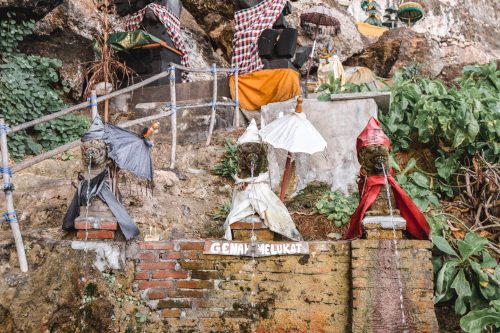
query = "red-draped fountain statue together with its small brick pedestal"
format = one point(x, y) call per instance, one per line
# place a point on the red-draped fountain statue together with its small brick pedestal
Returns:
point(385, 211)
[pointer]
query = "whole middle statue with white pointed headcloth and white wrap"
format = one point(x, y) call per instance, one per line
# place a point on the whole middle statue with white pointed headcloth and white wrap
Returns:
point(253, 199)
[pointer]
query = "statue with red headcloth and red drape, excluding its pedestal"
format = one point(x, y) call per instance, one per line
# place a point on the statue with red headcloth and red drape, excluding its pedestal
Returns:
point(372, 181)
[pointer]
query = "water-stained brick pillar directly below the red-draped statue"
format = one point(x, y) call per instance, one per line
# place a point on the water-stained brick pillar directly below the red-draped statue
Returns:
point(376, 302)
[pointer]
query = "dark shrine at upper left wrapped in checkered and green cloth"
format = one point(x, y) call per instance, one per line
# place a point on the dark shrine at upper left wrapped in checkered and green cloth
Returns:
point(152, 38)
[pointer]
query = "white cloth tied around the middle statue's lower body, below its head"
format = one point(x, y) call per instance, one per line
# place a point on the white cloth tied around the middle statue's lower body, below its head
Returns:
point(258, 198)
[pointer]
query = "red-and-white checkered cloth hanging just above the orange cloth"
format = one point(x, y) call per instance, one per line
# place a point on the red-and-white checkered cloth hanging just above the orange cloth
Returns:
point(249, 24)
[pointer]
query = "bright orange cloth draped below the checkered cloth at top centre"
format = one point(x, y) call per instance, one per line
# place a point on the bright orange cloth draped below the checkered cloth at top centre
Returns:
point(266, 86)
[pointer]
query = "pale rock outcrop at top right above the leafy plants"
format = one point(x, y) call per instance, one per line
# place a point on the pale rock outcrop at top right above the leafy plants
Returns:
point(452, 33)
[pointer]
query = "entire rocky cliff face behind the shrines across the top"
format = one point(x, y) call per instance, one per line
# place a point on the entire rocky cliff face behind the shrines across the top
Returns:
point(452, 33)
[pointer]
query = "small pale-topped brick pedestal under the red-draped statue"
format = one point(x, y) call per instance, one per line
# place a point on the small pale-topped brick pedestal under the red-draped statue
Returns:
point(381, 227)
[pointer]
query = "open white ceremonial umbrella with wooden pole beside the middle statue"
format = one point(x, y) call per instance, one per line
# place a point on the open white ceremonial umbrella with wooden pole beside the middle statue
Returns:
point(295, 134)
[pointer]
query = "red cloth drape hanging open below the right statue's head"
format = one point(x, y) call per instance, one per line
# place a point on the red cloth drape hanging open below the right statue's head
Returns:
point(416, 224)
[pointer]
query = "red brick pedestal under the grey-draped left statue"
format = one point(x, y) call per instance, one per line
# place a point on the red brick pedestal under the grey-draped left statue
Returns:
point(97, 223)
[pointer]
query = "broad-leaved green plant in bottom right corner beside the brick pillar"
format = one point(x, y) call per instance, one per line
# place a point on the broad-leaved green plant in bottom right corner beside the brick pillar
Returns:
point(468, 274)
